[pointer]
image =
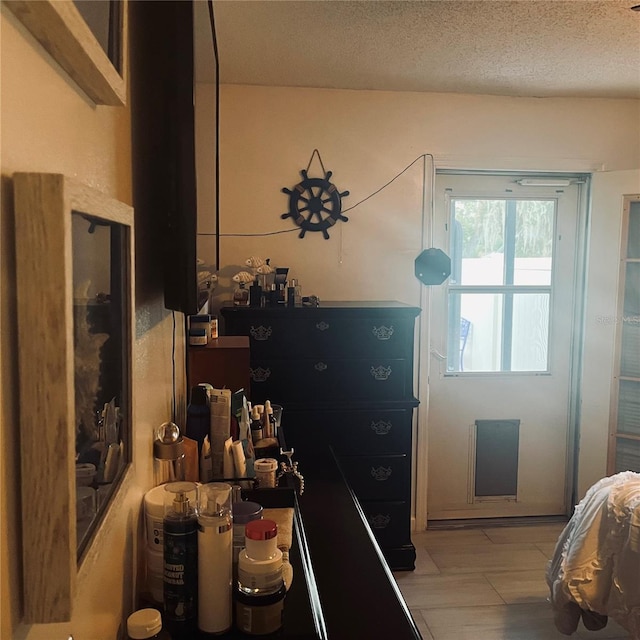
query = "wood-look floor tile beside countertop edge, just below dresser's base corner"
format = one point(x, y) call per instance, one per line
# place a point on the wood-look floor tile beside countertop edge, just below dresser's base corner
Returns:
point(430, 592)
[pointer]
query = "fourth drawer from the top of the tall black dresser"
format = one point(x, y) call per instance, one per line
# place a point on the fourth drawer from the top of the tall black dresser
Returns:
point(378, 477)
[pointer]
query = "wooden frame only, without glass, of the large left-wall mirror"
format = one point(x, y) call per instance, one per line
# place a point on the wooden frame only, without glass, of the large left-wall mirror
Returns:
point(45, 204)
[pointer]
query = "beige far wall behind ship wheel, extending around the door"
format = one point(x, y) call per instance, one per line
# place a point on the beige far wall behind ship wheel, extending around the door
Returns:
point(367, 138)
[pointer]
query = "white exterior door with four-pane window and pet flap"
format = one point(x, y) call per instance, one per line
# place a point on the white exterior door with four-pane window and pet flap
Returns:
point(501, 346)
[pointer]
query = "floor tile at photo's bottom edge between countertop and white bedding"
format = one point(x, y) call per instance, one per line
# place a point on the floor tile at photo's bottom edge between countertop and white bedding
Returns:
point(507, 622)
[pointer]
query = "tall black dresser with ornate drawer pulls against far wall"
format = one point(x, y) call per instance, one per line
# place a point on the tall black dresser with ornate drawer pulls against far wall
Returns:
point(343, 372)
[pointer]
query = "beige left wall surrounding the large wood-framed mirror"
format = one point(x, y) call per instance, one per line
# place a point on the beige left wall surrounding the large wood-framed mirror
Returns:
point(49, 125)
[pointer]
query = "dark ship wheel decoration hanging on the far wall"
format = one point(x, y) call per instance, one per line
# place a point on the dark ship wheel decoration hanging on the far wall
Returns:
point(315, 204)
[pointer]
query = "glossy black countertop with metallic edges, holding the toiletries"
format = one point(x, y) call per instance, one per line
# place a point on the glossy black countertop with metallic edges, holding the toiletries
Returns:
point(342, 586)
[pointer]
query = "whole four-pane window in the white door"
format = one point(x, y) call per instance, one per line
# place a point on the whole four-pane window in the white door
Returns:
point(500, 289)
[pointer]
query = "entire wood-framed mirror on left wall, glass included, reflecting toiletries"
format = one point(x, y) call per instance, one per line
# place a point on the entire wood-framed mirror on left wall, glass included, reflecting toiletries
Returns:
point(74, 249)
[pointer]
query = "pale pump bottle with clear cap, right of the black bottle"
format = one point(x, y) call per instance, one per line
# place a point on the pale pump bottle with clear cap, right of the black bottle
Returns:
point(215, 557)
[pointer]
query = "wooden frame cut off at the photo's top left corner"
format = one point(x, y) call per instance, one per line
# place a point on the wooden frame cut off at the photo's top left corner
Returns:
point(60, 28)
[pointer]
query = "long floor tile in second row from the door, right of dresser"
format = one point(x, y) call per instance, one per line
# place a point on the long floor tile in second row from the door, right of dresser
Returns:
point(494, 557)
